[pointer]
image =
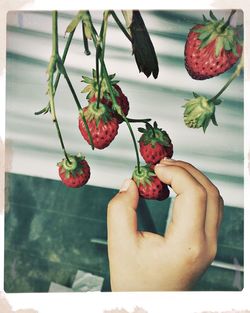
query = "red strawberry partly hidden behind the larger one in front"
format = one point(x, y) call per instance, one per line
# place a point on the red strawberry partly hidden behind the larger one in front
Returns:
point(105, 98)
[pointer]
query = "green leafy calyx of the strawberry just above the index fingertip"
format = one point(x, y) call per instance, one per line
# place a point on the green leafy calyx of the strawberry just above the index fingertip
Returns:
point(153, 135)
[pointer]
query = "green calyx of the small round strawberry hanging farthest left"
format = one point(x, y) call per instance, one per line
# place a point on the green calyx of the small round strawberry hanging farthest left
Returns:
point(74, 167)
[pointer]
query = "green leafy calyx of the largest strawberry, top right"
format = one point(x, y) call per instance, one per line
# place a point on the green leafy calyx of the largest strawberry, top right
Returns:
point(220, 33)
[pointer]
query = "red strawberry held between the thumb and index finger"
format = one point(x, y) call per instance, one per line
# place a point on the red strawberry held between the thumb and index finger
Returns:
point(149, 185)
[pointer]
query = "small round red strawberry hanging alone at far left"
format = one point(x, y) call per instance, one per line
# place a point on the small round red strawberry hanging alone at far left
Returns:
point(75, 173)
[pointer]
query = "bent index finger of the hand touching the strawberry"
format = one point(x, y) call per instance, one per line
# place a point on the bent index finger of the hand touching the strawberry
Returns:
point(189, 210)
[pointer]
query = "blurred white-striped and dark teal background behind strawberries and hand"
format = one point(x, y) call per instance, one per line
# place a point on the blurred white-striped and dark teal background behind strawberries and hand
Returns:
point(55, 237)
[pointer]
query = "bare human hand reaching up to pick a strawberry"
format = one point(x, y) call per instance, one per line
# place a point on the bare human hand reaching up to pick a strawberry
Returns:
point(143, 261)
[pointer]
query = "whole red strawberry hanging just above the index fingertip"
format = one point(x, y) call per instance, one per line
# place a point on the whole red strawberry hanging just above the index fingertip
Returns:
point(155, 144)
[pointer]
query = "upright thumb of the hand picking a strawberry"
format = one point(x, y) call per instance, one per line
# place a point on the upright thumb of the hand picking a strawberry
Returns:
point(122, 219)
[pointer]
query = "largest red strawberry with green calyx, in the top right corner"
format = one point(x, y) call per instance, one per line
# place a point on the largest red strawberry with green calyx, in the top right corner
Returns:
point(211, 48)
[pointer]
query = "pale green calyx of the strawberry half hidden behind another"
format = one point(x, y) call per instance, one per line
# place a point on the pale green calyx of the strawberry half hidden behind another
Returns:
point(92, 86)
